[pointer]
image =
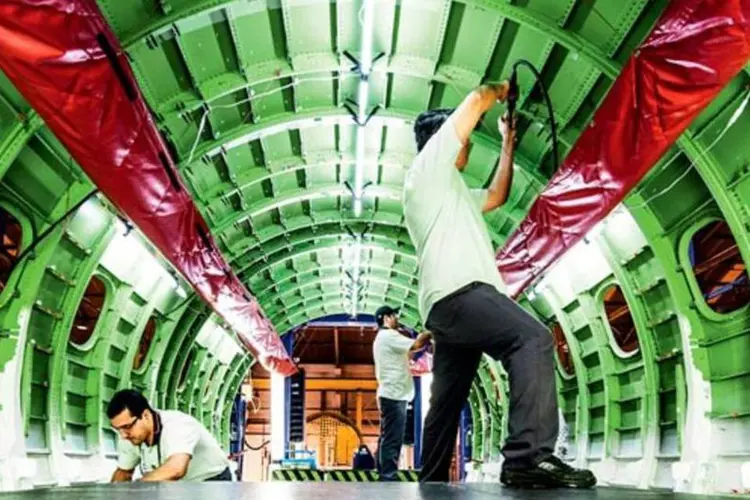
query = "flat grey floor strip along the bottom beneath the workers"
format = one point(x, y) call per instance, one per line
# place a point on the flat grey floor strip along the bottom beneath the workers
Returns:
point(328, 491)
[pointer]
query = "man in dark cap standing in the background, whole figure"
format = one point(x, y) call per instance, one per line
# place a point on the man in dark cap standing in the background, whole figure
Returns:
point(392, 351)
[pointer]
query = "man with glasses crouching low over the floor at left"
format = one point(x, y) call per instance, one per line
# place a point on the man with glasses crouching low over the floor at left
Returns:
point(168, 445)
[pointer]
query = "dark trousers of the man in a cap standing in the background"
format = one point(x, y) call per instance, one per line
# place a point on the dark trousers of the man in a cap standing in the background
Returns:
point(392, 429)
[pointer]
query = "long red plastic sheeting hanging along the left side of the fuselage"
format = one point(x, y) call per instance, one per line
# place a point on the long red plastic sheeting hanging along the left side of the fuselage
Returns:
point(64, 59)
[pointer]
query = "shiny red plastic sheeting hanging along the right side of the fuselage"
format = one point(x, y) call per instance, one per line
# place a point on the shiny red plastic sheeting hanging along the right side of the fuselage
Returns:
point(695, 49)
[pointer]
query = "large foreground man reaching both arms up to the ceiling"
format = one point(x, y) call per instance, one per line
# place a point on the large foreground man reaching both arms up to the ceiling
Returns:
point(463, 302)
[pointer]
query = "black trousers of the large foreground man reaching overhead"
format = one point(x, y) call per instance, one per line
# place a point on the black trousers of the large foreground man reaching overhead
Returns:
point(474, 320)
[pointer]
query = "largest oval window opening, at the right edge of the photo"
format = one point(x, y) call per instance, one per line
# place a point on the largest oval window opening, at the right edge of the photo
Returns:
point(719, 269)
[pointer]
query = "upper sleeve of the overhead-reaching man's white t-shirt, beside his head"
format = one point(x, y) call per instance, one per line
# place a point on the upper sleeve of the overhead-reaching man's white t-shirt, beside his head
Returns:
point(437, 160)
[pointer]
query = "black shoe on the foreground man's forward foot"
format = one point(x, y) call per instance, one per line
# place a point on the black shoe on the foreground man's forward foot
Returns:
point(549, 473)
